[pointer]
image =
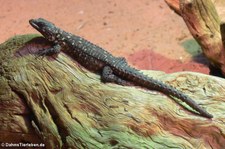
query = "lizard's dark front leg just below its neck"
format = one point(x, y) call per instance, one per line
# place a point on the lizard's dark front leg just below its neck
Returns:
point(49, 51)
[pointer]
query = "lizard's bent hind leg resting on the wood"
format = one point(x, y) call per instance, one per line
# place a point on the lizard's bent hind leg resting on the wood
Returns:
point(108, 76)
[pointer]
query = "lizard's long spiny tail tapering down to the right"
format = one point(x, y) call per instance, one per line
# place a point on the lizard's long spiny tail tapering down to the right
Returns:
point(151, 83)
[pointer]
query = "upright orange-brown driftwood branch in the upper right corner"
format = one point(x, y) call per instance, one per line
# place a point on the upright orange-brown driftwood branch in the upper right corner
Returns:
point(204, 24)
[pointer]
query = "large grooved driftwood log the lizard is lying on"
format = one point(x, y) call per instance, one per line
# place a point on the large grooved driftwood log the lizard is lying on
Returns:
point(56, 102)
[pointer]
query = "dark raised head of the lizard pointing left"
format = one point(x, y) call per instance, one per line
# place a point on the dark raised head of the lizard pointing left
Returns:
point(46, 28)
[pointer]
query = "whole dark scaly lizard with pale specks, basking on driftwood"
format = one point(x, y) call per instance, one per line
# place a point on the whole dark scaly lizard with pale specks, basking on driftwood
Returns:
point(113, 69)
